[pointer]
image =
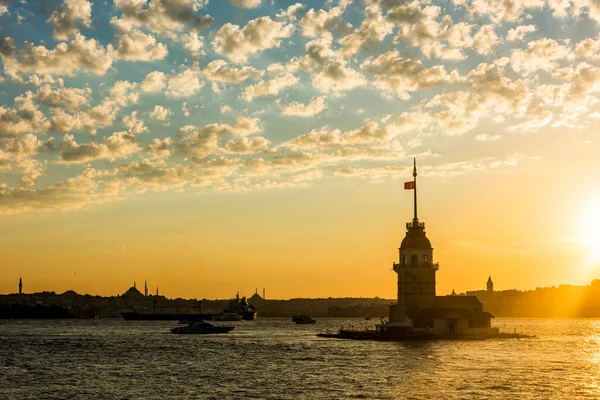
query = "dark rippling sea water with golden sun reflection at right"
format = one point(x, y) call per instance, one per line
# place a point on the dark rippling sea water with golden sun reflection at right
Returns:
point(277, 359)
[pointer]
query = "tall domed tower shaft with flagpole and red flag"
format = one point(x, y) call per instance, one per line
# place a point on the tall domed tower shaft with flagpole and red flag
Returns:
point(415, 267)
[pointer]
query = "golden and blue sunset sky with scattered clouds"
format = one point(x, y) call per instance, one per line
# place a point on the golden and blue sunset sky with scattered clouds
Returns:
point(210, 147)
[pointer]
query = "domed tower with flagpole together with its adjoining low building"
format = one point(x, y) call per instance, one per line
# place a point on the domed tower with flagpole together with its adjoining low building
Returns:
point(417, 300)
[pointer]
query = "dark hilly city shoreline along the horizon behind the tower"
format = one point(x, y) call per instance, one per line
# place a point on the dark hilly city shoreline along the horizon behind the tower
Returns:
point(563, 301)
